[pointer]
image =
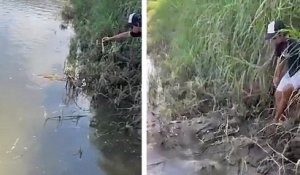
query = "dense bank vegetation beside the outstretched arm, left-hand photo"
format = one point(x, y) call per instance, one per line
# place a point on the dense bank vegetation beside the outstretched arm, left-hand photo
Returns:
point(112, 71)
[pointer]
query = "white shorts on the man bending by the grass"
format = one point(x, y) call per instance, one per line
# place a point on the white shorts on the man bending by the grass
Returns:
point(286, 79)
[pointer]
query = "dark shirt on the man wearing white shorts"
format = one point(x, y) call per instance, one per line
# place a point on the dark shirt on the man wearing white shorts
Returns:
point(292, 55)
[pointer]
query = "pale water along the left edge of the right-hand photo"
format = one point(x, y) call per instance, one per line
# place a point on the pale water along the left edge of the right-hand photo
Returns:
point(159, 161)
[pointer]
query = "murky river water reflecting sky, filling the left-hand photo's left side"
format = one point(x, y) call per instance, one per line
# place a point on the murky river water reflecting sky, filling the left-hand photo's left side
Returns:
point(32, 44)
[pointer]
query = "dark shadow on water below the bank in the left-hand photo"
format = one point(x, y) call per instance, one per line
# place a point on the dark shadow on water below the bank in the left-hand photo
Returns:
point(121, 153)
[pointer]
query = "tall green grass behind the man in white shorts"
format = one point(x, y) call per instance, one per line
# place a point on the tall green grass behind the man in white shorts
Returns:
point(213, 49)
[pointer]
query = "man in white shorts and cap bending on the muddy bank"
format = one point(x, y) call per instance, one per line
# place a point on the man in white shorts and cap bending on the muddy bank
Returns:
point(287, 75)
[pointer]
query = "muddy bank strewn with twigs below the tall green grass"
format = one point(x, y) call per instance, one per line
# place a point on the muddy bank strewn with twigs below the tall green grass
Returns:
point(222, 142)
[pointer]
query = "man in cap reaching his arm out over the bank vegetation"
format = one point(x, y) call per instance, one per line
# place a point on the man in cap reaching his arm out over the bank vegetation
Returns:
point(135, 23)
